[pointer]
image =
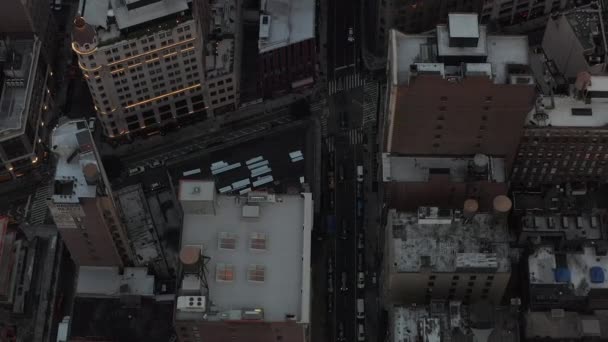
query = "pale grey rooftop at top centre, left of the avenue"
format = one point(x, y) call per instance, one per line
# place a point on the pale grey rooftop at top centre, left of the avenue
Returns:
point(285, 22)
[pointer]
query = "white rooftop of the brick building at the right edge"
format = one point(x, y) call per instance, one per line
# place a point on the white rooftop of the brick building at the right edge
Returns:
point(559, 110)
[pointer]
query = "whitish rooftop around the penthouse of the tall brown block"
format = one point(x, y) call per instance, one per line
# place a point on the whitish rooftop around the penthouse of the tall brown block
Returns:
point(497, 52)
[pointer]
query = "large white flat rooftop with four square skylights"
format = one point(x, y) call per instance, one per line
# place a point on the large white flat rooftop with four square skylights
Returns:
point(283, 253)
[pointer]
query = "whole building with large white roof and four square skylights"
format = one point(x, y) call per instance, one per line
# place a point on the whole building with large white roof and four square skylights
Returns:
point(246, 276)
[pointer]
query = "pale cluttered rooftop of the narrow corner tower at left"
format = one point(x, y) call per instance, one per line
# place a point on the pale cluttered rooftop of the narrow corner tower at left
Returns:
point(74, 149)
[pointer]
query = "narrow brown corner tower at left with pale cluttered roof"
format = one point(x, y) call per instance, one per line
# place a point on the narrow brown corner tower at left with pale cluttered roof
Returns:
point(81, 204)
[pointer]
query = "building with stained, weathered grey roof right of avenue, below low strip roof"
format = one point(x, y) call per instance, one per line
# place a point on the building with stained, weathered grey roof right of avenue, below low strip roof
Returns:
point(442, 254)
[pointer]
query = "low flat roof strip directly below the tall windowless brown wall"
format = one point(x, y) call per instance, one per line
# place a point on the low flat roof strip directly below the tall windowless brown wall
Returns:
point(419, 169)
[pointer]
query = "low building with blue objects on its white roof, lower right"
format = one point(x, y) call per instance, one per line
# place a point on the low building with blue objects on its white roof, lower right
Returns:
point(569, 280)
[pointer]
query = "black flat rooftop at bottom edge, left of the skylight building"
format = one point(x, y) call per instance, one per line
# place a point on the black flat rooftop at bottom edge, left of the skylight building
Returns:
point(114, 319)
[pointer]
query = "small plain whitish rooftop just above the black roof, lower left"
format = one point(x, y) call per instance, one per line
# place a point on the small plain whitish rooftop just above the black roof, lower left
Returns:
point(102, 281)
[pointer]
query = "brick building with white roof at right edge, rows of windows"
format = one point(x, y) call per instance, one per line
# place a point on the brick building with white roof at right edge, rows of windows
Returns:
point(565, 137)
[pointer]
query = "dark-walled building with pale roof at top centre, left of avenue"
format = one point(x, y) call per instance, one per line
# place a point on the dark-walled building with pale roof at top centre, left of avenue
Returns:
point(287, 47)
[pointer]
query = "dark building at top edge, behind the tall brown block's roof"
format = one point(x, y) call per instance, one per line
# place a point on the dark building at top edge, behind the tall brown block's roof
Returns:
point(408, 16)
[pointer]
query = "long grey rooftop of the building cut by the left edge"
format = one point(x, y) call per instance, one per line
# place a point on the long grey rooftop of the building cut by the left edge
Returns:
point(18, 60)
